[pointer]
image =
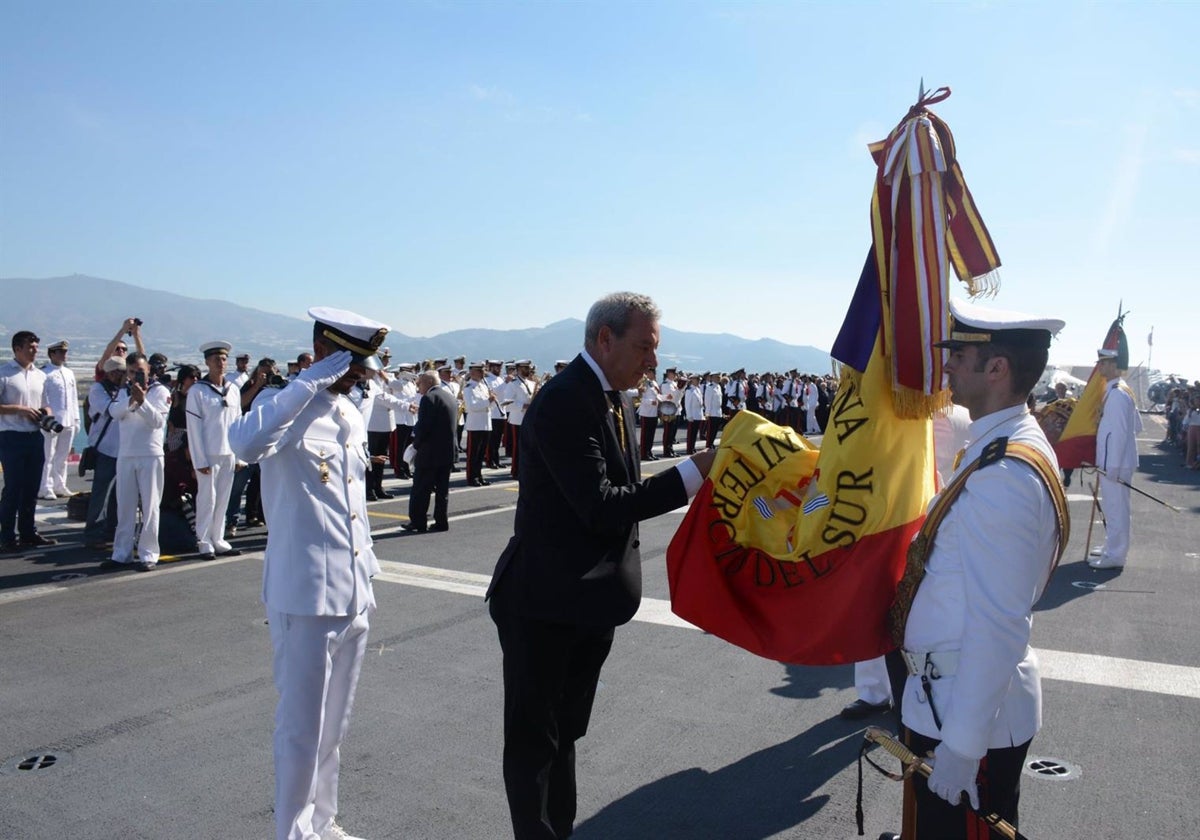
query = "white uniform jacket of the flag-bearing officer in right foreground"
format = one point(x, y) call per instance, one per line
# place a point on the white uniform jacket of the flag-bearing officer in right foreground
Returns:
point(991, 561)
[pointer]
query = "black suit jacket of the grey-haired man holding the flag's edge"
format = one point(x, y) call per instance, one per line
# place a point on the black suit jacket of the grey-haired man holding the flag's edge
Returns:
point(574, 555)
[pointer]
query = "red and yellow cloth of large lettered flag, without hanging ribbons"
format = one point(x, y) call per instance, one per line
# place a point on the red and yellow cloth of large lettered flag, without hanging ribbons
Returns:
point(793, 553)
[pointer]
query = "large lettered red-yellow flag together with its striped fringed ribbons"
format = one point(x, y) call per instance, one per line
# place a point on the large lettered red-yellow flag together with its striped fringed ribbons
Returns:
point(795, 554)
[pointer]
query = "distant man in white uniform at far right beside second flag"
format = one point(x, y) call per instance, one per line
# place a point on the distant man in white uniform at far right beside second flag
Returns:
point(1117, 454)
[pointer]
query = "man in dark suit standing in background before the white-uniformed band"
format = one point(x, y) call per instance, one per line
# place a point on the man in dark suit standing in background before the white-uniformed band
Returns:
point(434, 439)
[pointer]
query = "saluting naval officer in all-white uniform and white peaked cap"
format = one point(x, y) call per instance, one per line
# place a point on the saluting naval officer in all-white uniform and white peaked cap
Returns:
point(311, 443)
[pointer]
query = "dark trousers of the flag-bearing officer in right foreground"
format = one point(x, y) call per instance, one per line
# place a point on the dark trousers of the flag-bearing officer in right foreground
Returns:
point(931, 818)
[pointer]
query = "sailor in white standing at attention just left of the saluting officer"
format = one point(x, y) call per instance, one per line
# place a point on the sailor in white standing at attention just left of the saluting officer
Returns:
point(214, 403)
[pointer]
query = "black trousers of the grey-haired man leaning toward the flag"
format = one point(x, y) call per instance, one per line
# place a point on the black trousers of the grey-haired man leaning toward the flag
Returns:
point(551, 673)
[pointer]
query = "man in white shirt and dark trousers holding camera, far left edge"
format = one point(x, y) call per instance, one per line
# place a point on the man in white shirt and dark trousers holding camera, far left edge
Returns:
point(22, 455)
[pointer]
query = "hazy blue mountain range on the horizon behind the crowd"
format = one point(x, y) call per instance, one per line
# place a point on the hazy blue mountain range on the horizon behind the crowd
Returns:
point(89, 310)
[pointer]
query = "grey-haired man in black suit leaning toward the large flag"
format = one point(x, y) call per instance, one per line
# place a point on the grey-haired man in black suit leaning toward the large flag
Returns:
point(572, 572)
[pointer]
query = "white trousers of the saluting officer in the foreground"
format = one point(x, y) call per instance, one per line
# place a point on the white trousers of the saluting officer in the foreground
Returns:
point(316, 667)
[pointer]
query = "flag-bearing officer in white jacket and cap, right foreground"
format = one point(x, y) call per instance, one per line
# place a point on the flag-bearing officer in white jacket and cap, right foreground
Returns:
point(974, 695)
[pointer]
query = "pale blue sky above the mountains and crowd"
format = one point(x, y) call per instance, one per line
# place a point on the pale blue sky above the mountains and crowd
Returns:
point(502, 165)
